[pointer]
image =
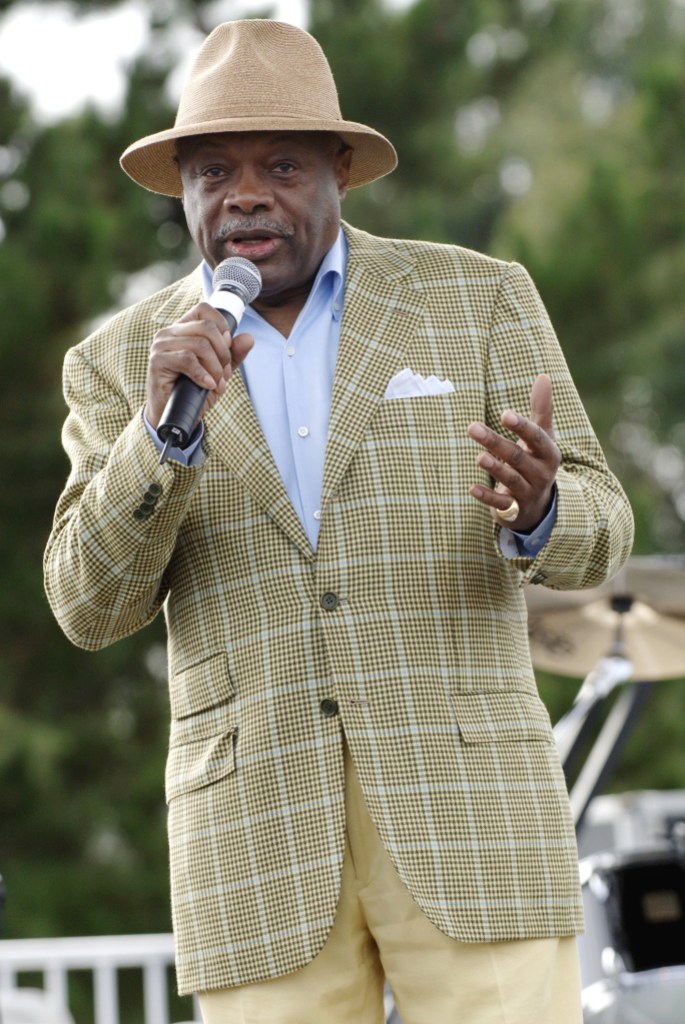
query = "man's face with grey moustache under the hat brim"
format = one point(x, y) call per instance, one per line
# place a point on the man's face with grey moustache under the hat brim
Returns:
point(273, 198)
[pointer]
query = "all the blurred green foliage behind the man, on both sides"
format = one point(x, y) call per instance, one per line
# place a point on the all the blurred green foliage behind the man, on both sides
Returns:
point(548, 132)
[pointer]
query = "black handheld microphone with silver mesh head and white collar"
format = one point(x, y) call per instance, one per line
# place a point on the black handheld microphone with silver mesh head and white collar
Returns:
point(237, 282)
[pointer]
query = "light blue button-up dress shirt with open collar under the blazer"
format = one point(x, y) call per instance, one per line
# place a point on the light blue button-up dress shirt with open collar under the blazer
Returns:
point(290, 383)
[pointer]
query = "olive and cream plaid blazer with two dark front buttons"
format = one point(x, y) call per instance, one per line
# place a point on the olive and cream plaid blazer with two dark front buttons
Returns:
point(407, 629)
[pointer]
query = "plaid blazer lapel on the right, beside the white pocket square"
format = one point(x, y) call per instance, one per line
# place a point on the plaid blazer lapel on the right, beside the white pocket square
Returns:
point(383, 312)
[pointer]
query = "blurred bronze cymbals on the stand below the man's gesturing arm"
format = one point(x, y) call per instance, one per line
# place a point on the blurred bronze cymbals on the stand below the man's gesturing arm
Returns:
point(640, 615)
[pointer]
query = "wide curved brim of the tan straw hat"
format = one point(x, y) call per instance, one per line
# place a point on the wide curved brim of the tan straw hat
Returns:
point(152, 162)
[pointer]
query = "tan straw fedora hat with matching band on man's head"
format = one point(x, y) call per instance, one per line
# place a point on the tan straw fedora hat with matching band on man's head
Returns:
point(258, 75)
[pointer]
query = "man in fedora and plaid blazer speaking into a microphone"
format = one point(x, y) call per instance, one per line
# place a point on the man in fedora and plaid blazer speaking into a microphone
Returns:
point(362, 778)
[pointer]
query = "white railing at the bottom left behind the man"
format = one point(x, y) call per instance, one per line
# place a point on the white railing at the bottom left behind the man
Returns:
point(105, 957)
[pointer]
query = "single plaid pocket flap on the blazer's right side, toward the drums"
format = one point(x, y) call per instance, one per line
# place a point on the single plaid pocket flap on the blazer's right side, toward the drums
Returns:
point(502, 718)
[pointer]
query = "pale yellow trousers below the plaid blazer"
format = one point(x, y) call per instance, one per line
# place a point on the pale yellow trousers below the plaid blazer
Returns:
point(379, 933)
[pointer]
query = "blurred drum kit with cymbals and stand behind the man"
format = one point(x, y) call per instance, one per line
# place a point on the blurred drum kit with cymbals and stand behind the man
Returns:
point(628, 634)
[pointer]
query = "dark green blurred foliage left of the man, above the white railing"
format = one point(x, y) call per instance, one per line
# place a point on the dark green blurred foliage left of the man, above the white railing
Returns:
point(82, 737)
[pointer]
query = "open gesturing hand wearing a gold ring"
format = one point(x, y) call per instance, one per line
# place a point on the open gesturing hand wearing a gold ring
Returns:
point(524, 471)
